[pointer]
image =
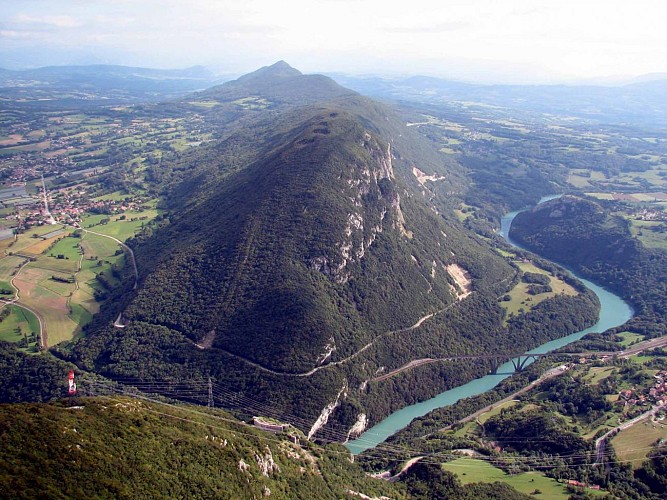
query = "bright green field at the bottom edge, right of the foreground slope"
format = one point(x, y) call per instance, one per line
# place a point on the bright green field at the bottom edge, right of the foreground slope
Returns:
point(470, 470)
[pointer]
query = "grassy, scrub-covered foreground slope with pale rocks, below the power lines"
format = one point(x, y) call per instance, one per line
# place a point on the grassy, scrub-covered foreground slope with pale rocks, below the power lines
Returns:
point(120, 447)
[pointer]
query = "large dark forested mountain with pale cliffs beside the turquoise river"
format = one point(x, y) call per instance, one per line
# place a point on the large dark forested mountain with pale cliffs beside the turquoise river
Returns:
point(306, 251)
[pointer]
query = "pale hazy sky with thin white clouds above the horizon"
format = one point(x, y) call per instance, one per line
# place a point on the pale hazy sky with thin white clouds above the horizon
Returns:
point(501, 39)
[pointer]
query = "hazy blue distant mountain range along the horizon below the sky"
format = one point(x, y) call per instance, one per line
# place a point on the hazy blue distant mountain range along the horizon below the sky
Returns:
point(638, 101)
